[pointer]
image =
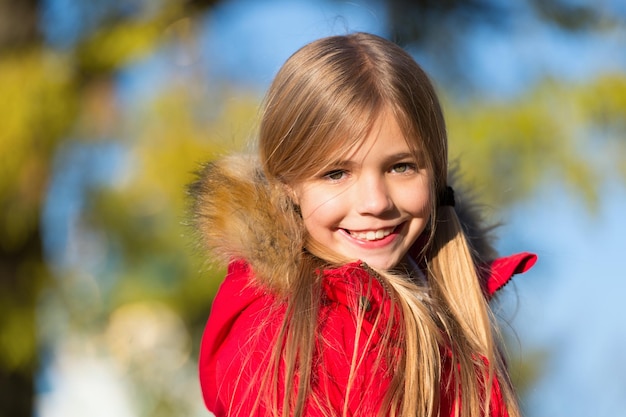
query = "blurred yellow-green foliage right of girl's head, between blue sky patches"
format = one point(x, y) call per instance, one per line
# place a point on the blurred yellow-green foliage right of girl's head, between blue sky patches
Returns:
point(572, 134)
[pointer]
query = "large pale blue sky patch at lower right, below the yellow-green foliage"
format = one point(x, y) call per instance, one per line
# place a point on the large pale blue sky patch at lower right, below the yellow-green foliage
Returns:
point(571, 304)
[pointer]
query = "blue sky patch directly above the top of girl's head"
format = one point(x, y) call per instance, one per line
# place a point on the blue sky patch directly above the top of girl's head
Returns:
point(247, 41)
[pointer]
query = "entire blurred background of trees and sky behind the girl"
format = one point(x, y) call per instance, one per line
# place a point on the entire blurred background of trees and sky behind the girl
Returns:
point(107, 108)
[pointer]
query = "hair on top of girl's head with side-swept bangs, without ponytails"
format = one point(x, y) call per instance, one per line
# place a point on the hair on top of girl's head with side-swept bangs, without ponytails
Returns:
point(326, 99)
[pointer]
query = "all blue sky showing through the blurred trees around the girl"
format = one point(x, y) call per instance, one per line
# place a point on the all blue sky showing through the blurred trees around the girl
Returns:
point(570, 303)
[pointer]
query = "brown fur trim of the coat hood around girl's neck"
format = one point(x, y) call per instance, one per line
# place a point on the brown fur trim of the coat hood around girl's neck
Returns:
point(237, 214)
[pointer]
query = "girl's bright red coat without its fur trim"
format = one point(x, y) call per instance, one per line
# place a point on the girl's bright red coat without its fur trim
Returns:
point(232, 335)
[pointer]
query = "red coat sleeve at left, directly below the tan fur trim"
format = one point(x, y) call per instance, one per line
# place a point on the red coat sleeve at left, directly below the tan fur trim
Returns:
point(232, 342)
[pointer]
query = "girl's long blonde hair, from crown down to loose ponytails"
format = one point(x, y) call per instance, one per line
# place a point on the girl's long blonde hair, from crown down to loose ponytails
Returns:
point(323, 101)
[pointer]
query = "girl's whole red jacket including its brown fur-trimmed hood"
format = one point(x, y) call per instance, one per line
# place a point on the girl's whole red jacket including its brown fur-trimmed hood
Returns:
point(242, 220)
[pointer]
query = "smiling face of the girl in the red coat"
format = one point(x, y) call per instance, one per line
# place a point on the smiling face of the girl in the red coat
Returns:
point(371, 205)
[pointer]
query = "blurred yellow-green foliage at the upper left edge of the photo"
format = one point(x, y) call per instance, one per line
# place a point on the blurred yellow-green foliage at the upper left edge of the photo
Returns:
point(38, 105)
